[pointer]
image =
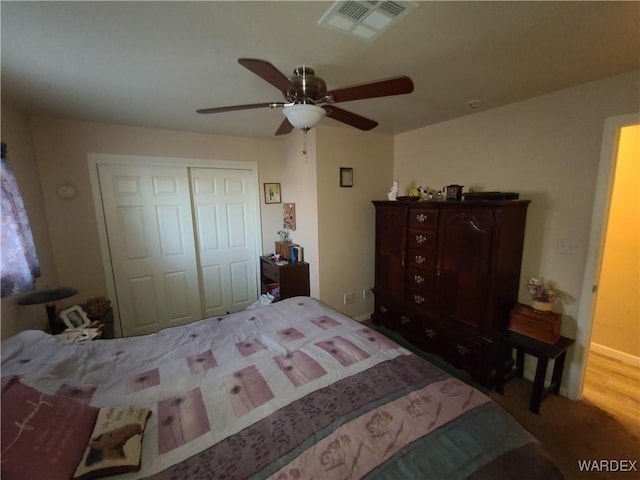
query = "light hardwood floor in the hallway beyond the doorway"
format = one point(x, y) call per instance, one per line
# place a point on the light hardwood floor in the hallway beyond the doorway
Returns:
point(614, 387)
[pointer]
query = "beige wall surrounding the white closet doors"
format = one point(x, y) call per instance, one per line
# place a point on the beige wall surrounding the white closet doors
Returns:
point(61, 148)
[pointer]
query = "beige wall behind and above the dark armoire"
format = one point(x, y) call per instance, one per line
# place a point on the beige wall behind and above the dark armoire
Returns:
point(547, 149)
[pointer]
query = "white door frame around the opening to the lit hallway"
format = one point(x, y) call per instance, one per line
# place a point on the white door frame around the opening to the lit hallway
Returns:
point(595, 249)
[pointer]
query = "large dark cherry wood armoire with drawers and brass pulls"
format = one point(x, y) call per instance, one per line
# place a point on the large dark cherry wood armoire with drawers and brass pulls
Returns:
point(447, 275)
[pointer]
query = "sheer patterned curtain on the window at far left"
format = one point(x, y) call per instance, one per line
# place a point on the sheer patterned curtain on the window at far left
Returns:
point(20, 265)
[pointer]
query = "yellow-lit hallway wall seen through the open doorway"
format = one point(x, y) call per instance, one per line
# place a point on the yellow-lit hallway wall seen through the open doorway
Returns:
point(616, 325)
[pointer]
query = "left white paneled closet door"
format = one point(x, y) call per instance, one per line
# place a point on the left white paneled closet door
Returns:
point(149, 227)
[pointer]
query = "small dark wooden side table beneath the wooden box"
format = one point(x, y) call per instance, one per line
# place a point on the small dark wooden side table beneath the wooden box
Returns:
point(543, 352)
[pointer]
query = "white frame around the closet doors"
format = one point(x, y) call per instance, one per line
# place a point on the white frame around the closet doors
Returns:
point(95, 159)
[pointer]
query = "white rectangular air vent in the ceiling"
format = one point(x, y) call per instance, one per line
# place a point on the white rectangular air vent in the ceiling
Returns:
point(365, 20)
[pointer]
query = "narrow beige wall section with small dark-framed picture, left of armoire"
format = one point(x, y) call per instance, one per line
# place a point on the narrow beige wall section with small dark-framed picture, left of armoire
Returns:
point(346, 217)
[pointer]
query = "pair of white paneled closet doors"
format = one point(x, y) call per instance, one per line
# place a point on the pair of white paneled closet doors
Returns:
point(181, 243)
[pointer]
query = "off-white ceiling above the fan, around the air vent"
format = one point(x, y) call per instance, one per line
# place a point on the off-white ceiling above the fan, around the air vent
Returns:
point(154, 63)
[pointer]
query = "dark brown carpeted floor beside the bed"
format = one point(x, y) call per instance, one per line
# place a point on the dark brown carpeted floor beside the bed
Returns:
point(570, 431)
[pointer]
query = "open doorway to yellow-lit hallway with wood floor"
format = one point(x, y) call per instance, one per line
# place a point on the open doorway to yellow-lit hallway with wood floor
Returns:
point(612, 354)
